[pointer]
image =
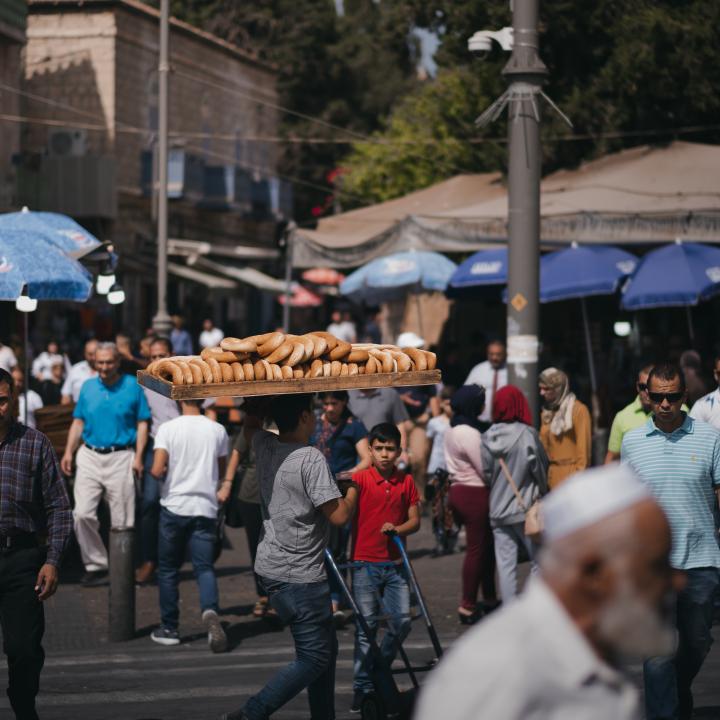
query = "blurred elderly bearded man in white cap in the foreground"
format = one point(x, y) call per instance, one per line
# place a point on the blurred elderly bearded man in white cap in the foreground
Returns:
point(602, 599)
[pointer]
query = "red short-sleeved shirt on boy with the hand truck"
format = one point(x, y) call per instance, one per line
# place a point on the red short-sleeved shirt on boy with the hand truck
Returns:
point(380, 501)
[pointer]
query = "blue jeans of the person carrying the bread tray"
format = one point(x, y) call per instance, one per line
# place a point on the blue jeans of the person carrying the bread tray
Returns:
point(306, 608)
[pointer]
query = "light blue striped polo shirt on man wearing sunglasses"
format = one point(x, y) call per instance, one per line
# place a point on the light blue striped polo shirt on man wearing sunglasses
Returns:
point(682, 470)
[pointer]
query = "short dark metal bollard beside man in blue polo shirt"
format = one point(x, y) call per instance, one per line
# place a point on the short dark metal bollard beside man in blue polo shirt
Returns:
point(122, 585)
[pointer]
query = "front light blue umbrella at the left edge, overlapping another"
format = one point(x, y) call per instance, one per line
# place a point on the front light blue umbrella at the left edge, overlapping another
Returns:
point(48, 273)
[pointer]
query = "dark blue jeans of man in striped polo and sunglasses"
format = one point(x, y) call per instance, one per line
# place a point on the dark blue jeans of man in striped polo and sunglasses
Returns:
point(668, 679)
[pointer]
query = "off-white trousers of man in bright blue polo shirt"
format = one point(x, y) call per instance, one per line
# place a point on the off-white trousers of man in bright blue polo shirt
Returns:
point(96, 474)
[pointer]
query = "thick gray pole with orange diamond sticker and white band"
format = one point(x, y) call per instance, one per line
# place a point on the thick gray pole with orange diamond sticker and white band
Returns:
point(525, 72)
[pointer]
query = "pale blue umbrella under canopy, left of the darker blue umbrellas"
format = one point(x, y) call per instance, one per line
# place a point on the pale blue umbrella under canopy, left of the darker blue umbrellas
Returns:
point(393, 276)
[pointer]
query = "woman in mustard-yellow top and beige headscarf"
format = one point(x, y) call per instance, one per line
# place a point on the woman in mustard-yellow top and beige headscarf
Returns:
point(565, 427)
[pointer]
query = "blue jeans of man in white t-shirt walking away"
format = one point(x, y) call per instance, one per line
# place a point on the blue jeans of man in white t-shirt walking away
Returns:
point(175, 533)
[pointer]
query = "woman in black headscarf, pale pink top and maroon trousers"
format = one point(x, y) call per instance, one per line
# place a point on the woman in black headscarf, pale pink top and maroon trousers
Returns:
point(469, 500)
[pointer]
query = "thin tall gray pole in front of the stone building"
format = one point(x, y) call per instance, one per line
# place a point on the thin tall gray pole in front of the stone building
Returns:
point(161, 321)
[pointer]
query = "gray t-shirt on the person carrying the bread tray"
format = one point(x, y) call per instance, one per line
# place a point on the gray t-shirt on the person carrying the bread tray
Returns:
point(294, 482)
